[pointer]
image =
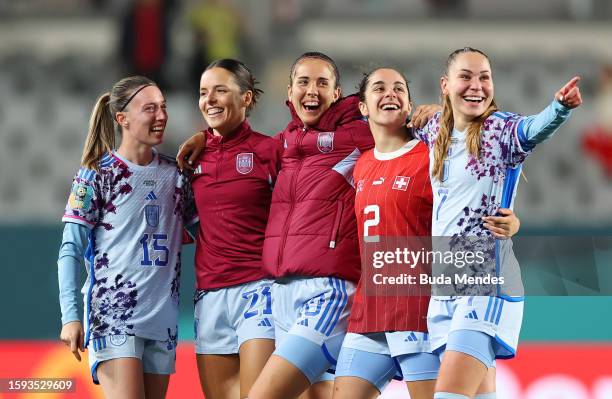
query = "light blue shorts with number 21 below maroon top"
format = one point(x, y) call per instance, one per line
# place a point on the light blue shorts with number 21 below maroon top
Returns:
point(225, 318)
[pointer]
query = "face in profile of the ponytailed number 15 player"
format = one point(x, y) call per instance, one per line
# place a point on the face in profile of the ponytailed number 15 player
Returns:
point(144, 120)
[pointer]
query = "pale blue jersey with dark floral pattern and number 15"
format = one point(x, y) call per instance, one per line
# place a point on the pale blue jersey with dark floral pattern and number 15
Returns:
point(136, 216)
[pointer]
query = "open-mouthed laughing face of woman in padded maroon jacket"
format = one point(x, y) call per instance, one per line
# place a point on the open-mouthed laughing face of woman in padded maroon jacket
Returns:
point(313, 89)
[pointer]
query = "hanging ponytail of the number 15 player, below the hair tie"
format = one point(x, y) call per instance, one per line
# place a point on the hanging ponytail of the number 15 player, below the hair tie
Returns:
point(100, 135)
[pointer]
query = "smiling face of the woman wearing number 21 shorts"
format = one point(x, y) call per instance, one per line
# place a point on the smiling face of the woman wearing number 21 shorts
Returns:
point(221, 103)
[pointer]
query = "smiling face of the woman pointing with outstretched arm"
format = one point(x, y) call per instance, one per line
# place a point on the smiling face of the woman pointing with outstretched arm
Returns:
point(469, 86)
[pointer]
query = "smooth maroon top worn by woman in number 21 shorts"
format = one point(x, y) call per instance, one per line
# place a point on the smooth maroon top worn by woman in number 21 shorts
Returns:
point(232, 184)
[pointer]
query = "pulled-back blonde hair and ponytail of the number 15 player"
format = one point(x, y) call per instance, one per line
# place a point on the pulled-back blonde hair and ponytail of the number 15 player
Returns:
point(101, 133)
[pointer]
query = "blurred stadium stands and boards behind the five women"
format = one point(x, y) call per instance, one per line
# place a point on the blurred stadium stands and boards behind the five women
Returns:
point(58, 56)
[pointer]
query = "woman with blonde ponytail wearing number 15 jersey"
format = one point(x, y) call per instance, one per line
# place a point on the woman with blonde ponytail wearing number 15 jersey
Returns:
point(124, 223)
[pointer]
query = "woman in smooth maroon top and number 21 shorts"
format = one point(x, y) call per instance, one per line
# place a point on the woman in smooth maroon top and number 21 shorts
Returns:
point(232, 184)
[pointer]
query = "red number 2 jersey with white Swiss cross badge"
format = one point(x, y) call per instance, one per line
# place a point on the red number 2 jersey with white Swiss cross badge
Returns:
point(393, 206)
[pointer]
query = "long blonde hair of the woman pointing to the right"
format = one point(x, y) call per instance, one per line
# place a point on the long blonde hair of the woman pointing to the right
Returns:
point(443, 138)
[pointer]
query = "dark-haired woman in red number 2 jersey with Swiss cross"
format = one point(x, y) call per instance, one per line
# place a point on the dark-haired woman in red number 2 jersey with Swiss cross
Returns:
point(387, 332)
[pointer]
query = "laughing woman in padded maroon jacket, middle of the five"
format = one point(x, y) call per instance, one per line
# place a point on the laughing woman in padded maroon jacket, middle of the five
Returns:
point(311, 244)
